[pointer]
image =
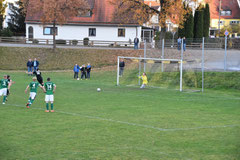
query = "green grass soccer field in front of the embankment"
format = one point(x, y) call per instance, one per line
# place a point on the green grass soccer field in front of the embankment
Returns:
point(118, 122)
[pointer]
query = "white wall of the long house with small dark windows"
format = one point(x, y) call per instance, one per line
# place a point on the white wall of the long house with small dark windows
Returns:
point(103, 33)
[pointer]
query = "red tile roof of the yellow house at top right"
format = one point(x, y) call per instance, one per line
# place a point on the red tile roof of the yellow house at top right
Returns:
point(226, 5)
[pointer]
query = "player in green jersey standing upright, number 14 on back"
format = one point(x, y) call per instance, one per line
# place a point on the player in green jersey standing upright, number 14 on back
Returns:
point(50, 88)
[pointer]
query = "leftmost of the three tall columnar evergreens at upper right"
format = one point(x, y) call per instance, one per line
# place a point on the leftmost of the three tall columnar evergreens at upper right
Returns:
point(189, 24)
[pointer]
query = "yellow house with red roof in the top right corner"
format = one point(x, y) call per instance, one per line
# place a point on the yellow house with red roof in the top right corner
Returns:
point(229, 14)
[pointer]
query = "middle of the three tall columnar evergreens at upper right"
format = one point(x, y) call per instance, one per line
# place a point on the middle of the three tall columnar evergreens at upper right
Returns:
point(198, 23)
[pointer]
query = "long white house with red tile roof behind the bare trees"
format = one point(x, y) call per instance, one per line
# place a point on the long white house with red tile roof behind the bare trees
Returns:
point(97, 25)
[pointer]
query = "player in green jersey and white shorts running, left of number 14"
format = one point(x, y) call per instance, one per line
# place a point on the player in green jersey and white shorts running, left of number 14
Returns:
point(33, 91)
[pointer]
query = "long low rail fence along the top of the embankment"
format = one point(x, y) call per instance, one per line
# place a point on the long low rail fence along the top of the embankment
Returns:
point(194, 44)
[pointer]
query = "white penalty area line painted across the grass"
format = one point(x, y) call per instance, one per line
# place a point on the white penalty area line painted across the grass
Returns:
point(135, 124)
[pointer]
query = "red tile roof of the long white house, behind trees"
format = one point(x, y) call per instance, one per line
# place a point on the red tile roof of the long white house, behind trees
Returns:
point(102, 13)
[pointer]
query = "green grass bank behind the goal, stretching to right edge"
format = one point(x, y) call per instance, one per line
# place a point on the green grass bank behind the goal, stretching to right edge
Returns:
point(212, 80)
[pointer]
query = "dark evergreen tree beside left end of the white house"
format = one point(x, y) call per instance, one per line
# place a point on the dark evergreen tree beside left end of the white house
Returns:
point(17, 21)
